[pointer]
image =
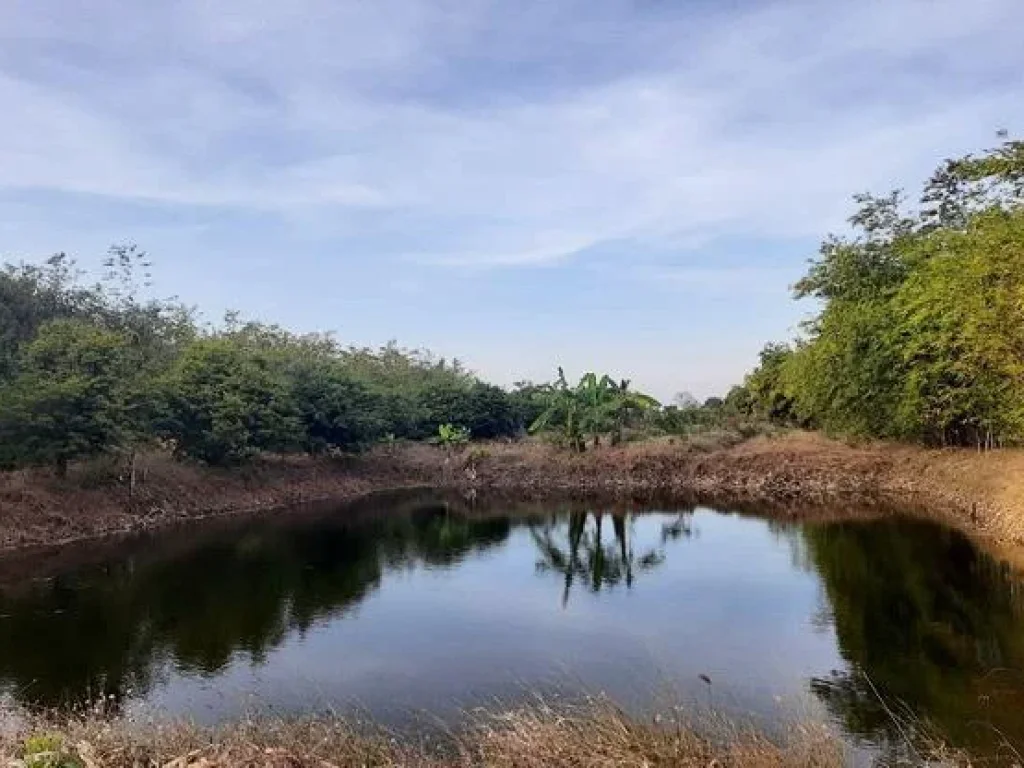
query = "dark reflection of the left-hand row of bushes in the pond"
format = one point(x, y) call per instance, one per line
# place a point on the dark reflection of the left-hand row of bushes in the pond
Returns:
point(104, 631)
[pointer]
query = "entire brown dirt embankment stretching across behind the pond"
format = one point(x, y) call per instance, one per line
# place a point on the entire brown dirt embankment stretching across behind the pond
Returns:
point(796, 474)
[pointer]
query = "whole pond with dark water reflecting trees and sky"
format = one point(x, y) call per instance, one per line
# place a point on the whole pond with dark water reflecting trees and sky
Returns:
point(416, 605)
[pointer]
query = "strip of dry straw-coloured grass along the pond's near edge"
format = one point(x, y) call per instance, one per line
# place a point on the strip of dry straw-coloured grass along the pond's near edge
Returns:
point(593, 736)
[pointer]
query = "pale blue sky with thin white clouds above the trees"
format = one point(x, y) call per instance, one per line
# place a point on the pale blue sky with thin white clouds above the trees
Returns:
point(622, 186)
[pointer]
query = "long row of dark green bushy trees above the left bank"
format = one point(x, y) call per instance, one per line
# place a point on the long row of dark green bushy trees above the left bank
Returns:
point(90, 370)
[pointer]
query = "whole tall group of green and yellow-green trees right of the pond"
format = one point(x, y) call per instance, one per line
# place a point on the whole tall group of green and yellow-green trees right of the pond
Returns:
point(921, 330)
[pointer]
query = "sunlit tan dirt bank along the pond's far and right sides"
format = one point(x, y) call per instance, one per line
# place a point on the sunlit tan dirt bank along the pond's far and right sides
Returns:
point(799, 475)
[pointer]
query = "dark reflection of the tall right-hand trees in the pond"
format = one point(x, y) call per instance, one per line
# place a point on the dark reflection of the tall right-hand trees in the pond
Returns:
point(931, 629)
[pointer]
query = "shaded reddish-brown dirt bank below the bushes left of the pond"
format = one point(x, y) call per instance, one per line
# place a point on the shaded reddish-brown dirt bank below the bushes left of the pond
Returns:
point(37, 508)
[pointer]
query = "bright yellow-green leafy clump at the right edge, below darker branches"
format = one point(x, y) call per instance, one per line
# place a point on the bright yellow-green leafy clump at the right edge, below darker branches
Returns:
point(961, 326)
